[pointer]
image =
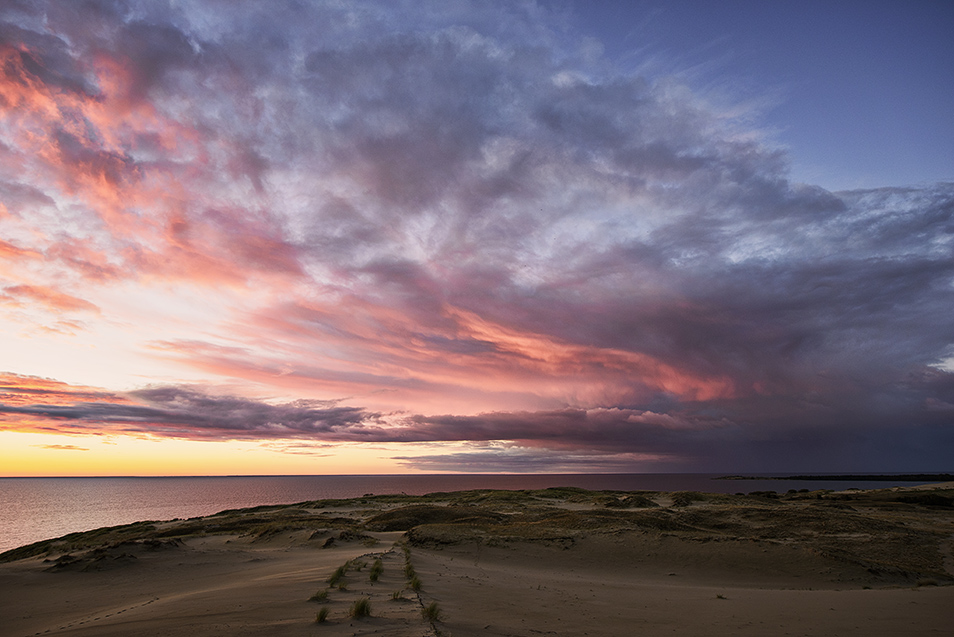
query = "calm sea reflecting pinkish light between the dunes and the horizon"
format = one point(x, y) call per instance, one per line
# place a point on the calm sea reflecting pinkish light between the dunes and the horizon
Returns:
point(33, 509)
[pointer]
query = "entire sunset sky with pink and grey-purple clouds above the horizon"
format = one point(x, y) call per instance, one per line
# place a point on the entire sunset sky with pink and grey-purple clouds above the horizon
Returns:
point(243, 238)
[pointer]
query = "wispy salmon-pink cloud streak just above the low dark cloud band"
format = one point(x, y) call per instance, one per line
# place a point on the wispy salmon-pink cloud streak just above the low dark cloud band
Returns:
point(458, 359)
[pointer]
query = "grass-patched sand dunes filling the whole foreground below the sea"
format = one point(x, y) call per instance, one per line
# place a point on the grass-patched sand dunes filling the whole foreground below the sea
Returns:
point(495, 563)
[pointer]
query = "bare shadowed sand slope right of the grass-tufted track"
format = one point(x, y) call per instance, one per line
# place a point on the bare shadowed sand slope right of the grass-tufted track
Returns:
point(527, 591)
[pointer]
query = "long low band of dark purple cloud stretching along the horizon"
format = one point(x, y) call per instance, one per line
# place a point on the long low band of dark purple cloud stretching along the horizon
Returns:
point(814, 432)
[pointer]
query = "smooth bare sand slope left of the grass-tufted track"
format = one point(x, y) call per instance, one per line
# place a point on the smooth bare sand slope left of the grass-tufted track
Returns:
point(204, 588)
